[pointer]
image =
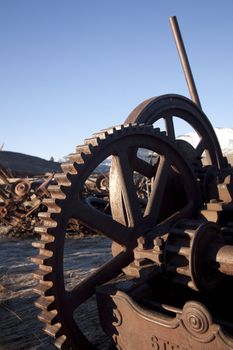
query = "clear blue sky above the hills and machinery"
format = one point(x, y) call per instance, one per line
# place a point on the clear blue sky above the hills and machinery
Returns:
point(70, 68)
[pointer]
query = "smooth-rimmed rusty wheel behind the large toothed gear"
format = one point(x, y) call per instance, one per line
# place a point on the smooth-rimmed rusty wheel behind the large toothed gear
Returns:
point(166, 107)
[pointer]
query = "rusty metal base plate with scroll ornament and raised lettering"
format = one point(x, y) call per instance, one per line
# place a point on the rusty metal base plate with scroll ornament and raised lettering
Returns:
point(133, 327)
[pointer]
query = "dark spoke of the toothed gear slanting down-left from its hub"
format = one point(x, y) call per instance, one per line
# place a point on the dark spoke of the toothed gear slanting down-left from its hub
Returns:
point(105, 273)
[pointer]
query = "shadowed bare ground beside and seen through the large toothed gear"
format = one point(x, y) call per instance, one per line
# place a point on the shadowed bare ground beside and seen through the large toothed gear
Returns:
point(19, 326)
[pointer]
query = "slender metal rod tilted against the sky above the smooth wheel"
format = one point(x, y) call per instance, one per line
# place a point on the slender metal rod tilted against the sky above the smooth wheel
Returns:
point(184, 60)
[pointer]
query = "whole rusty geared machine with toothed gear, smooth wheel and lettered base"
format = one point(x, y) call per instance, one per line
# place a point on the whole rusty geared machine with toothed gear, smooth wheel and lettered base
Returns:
point(169, 283)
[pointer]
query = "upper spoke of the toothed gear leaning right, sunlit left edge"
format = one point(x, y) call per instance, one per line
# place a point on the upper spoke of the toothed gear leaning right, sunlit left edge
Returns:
point(158, 187)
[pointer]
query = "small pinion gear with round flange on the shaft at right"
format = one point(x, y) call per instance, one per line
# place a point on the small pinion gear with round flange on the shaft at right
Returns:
point(186, 253)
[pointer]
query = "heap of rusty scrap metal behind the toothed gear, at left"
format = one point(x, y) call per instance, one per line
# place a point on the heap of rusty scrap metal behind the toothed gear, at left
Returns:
point(21, 199)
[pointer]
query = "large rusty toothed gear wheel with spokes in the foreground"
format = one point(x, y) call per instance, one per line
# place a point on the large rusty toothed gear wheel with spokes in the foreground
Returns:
point(67, 201)
